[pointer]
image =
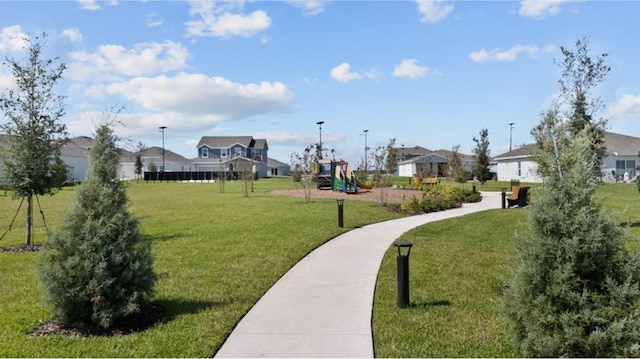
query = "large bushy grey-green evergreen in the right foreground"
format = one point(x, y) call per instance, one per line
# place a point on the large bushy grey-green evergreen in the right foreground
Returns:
point(575, 289)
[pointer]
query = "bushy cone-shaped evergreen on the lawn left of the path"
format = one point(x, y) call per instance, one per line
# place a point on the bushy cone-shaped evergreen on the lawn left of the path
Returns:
point(97, 269)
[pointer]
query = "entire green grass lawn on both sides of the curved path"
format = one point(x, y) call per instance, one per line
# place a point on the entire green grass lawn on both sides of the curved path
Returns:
point(217, 253)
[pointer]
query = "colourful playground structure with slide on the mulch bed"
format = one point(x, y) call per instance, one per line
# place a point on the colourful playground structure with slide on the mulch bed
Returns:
point(338, 176)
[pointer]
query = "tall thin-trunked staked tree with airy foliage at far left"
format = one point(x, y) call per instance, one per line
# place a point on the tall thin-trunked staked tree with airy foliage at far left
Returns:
point(31, 161)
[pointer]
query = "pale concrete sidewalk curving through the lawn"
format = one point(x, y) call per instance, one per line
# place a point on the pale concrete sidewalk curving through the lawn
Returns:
point(322, 307)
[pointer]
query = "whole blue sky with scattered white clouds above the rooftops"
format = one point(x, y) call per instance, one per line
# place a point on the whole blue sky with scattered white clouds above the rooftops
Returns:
point(427, 73)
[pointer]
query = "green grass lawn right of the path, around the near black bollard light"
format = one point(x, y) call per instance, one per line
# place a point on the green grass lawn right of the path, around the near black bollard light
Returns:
point(457, 269)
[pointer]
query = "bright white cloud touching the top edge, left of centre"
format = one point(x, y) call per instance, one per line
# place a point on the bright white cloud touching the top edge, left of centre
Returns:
point(225, 19)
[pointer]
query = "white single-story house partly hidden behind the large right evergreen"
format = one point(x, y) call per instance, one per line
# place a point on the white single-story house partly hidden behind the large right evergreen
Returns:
point(621, 157)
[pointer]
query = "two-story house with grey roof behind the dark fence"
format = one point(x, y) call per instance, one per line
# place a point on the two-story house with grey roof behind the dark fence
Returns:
point(222, 153)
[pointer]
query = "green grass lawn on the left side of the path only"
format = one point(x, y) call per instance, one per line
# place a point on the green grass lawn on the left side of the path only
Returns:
point(216, 254)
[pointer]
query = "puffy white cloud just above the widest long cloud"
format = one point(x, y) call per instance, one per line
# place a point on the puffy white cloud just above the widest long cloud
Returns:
point(112, 61)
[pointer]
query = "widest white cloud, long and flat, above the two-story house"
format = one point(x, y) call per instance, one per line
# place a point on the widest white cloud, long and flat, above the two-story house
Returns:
point(203, 98)
